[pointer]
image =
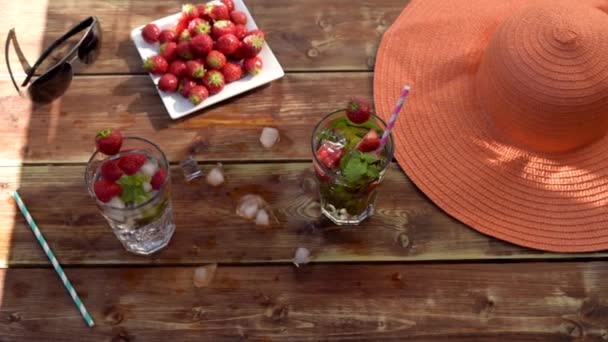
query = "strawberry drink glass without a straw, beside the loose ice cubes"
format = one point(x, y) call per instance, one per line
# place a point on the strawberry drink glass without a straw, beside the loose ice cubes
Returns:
point(131, 185)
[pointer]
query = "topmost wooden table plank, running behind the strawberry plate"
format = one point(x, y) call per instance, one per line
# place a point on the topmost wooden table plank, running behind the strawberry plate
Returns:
point(305, 35)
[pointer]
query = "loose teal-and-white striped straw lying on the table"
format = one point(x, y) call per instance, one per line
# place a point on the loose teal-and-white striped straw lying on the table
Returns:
point(51, 256)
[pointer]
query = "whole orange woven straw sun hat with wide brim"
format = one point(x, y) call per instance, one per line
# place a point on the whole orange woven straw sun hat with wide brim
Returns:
point(505, 127)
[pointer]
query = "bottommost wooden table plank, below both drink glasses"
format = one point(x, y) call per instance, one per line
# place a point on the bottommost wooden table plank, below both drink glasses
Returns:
point(485, 302)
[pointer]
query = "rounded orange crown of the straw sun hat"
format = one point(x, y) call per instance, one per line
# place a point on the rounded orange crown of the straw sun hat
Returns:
point(543, 79)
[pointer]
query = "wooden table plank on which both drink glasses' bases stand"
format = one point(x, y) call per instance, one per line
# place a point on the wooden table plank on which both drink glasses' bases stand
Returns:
point(406, 227)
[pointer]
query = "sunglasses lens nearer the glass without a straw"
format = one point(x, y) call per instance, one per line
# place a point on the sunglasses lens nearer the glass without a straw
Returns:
point(52, 84)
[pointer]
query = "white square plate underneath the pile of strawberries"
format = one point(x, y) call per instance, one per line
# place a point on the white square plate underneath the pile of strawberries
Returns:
point(177, 105)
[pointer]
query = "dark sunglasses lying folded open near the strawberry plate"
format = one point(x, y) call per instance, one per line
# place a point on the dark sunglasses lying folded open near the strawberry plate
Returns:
point(56, 80)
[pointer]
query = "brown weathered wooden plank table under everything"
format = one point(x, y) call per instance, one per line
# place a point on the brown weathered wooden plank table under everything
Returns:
point(410, 272)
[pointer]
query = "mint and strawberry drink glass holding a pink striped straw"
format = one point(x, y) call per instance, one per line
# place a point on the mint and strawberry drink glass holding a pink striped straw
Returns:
point(349, 162)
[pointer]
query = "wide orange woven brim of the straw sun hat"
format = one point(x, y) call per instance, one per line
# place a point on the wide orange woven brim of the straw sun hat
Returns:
point(446, 144)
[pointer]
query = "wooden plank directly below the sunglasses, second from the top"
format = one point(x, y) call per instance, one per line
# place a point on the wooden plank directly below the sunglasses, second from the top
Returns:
point(63, 131)
